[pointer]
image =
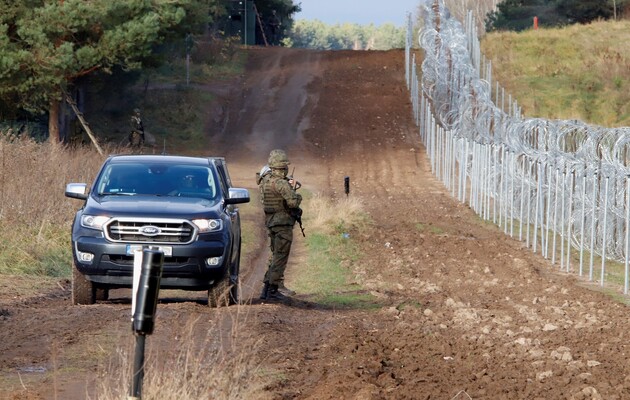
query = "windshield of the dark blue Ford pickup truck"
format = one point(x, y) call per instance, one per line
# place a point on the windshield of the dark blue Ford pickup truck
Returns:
point(157, 180)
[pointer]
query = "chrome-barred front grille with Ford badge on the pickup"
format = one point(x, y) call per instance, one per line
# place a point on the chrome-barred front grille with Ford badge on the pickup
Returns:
point(134, 230)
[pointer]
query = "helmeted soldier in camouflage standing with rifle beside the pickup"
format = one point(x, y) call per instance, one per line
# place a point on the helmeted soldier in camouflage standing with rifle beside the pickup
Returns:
point(280, 203)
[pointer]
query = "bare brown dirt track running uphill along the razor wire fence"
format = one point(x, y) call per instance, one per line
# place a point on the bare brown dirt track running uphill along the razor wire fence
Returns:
point(467, 312)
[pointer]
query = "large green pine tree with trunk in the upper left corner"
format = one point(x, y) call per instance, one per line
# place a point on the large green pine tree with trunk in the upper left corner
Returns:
point(46, 45)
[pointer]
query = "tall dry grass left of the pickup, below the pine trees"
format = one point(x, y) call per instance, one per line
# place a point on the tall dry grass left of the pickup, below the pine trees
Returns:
point(35, 216)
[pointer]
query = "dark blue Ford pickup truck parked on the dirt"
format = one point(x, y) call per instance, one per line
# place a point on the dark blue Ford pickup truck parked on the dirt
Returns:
point(182, 206)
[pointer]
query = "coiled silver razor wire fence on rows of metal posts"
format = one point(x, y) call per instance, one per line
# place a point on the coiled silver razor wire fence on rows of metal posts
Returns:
point(561, 186)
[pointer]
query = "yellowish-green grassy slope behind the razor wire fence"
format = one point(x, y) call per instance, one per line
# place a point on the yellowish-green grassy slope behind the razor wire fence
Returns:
point(573, 72)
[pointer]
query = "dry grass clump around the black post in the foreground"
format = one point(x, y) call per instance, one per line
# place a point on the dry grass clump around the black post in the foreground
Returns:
point(201, 363)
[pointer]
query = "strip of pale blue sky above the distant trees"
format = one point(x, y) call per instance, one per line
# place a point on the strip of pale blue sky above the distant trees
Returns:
point(361, 12)
